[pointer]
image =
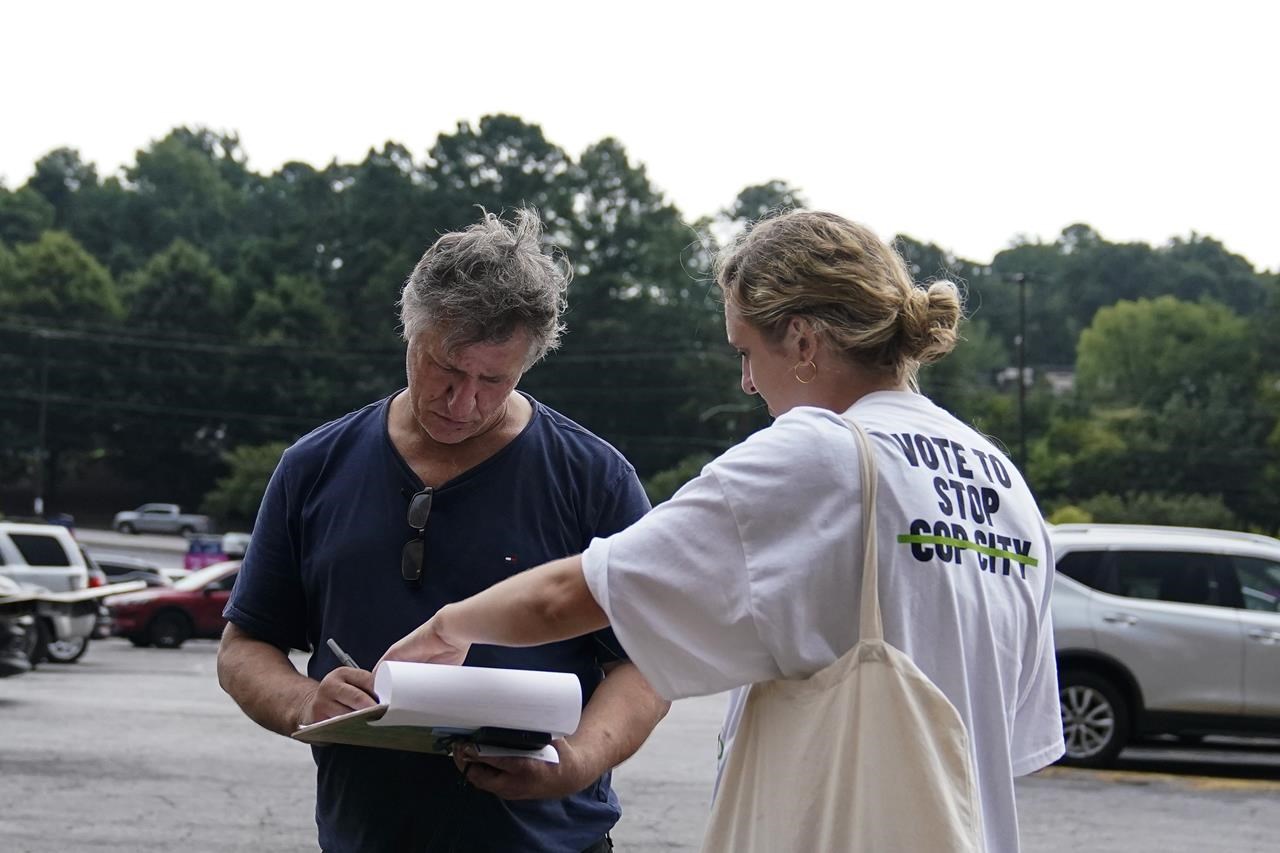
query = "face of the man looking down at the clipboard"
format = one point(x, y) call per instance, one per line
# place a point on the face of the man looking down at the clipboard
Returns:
point(461, 395)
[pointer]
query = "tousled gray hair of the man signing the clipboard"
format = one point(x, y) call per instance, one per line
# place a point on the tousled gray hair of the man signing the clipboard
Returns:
point(487, 282)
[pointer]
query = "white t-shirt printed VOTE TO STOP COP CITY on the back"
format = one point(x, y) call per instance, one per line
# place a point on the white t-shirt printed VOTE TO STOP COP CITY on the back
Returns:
point(752, 573)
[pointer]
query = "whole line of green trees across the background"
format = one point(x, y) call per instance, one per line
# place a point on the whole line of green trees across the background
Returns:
point(176, 325)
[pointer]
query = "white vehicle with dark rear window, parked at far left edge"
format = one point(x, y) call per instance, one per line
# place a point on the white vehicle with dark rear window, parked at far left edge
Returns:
point(47, 556)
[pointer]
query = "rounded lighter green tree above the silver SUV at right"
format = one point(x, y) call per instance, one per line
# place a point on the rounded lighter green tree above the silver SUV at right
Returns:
point(1169, 395)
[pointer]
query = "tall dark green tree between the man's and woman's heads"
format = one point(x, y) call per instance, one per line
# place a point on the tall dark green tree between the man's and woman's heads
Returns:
point(646, 350)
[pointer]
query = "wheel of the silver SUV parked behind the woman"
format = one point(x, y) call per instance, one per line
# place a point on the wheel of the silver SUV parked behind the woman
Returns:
point(1095, 719)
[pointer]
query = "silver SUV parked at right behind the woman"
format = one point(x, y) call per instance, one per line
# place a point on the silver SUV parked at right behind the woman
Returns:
point(1164, 631)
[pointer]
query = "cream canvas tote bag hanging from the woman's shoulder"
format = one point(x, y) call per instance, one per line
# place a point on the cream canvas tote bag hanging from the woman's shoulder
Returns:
point(866, 755)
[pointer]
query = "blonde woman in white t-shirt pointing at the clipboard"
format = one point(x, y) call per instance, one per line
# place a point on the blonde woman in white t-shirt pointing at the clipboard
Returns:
point(752, 573)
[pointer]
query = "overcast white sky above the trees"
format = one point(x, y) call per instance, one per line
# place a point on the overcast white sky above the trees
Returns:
point(959, 124)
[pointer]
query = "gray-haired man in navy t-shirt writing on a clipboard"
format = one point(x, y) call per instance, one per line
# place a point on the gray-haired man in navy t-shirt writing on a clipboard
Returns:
point(374, 522)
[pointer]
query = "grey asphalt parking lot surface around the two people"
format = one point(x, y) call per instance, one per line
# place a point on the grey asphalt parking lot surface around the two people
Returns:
point(140, 751)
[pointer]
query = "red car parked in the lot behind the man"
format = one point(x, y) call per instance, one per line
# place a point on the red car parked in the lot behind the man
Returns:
point(168, 617)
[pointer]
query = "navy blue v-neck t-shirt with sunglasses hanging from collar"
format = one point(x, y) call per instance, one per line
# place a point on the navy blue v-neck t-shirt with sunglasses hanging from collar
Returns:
point(326, 562)
